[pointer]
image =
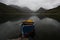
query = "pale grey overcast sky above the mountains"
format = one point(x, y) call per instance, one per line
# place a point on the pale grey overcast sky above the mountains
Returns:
point(34, 4)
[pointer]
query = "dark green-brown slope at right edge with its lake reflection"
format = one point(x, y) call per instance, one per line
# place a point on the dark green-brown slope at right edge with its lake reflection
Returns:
point(52, 13)
